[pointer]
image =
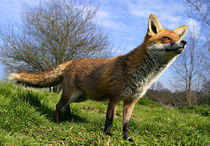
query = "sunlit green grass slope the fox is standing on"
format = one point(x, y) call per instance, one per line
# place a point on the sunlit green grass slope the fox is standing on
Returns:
point(28, 117)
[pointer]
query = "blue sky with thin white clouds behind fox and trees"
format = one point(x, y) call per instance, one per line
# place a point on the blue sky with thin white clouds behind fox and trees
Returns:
point(124, 20)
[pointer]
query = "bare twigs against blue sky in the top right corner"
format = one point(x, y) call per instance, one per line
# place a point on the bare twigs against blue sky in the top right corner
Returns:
point(199, 9)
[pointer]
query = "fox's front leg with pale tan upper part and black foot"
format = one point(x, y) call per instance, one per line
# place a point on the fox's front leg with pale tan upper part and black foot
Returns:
point(127, 112)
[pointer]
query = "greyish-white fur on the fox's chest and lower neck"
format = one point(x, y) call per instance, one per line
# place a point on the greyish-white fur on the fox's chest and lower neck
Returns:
point(144, 76)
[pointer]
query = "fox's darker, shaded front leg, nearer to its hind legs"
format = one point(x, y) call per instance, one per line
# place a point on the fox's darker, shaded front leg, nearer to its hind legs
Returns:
point(112, 107)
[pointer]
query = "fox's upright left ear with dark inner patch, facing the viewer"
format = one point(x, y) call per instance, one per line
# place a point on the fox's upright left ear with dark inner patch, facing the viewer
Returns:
point(154, 25)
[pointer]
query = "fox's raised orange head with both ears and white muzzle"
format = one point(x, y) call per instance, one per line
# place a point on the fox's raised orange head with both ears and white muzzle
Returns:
point(163, 41)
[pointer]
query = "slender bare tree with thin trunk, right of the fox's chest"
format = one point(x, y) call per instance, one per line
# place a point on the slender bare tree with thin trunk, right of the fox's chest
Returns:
point(191, 67)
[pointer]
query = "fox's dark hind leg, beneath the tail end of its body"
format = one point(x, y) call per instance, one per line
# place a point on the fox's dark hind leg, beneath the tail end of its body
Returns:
point(66, 97)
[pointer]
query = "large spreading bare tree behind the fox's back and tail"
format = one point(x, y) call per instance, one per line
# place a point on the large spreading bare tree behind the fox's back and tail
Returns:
point(53, 32)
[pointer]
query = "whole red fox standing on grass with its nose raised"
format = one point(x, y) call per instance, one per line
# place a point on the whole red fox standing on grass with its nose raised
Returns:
point(122, 78)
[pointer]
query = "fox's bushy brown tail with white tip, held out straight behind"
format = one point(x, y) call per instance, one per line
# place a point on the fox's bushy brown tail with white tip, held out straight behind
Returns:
point(47, 78)
